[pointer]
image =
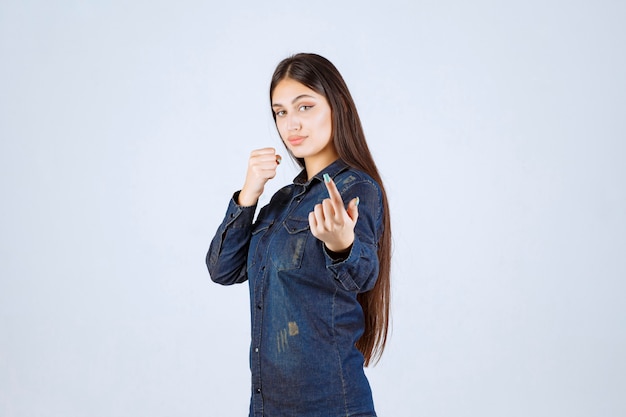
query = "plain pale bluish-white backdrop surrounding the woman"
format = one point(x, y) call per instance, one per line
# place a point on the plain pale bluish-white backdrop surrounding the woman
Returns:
point(499, 130)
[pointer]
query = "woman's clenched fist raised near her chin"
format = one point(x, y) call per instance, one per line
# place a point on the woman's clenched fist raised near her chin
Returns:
point(261, 168)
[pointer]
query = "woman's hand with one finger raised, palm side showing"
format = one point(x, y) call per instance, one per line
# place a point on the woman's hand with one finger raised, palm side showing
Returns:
point(331, 222)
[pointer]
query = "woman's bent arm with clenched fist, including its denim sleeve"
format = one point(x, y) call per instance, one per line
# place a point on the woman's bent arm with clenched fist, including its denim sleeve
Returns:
point(227, 256)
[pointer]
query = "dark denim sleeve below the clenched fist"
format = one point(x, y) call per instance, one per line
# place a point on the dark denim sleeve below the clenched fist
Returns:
point(227, 256)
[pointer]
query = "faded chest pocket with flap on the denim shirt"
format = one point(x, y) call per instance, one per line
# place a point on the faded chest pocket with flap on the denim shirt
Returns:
point(289, 247)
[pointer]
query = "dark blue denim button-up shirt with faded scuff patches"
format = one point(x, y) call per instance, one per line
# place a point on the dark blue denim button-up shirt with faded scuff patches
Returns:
point(304, 310)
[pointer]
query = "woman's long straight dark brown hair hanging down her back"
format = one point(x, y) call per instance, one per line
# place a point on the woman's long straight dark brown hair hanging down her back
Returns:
point(320, 75)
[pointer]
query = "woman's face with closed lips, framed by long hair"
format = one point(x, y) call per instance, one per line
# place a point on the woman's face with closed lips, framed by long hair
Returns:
point(304, 121)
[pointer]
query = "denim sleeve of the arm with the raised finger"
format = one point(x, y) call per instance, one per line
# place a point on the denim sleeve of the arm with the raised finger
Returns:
point(358, 269)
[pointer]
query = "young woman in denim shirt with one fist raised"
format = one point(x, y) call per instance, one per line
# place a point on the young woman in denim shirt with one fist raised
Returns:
point(317, 258)
